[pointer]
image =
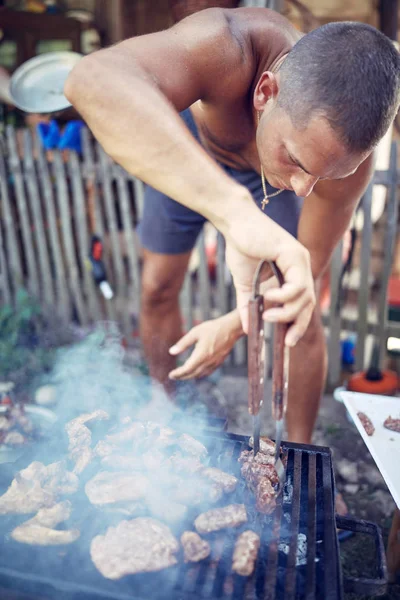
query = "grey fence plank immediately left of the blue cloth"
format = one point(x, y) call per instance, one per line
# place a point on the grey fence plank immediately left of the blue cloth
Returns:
point(62, 306)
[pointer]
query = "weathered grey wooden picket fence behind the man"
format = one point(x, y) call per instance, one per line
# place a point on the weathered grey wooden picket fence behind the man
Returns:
point(52, 204)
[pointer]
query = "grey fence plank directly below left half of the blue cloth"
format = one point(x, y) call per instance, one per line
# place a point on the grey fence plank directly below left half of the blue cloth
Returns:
point(68, 241)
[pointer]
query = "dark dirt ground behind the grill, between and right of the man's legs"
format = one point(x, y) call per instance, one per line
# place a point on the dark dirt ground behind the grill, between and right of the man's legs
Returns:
point(357, 476)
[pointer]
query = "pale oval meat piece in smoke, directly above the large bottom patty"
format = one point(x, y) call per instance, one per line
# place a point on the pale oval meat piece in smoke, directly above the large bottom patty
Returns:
point(111, 488)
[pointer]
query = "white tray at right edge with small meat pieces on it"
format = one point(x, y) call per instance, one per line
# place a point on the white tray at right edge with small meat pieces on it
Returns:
point(384, 445)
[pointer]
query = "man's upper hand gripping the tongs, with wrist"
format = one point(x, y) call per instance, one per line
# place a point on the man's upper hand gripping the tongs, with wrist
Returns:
point(253, 237)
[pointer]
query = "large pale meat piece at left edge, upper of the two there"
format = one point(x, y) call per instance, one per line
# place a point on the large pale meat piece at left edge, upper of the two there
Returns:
point(36, 487)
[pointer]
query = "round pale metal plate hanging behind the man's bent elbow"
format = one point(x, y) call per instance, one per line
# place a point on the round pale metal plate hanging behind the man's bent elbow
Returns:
point(37, 85)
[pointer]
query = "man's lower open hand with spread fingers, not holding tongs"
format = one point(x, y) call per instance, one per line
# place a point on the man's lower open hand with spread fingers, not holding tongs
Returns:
point(213, 341)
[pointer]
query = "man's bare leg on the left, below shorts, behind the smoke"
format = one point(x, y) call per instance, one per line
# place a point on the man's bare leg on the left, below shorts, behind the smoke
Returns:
point(160, 318)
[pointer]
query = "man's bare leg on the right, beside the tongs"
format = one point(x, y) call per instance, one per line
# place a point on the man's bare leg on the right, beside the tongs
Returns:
point(308, 367)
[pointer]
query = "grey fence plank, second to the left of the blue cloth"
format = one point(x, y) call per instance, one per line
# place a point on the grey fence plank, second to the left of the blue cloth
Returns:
point(47, 291)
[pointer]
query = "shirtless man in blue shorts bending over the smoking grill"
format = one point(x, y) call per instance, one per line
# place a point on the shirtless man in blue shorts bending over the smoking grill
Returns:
point(250, 89)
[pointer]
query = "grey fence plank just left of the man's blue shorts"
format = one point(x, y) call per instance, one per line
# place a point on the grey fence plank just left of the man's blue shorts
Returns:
point(132, 249)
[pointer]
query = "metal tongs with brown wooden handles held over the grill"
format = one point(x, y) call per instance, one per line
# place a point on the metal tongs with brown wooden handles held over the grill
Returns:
point(280, 368)
